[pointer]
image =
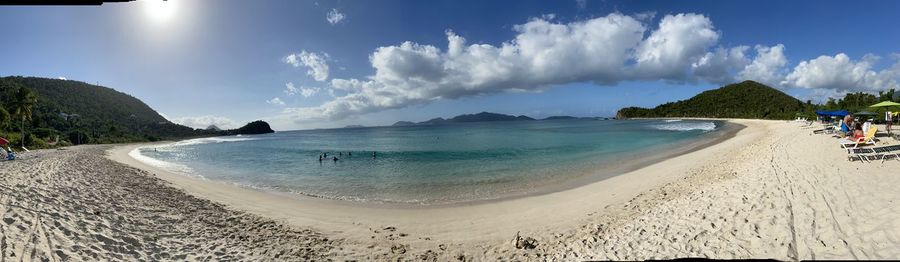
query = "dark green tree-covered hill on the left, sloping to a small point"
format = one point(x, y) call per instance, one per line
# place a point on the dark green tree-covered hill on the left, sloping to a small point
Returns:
point(41, 112)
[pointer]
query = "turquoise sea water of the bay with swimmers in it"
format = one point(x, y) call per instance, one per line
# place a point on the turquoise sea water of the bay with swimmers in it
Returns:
point(426, 164)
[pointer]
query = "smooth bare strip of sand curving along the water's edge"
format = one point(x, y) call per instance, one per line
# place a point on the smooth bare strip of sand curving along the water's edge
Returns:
point(496, 220)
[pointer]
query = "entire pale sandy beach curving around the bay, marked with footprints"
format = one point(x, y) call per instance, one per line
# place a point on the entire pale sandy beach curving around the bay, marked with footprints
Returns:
point(774, 190)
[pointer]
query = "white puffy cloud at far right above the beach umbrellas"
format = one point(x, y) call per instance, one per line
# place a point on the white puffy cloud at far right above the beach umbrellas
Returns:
point(840, 73)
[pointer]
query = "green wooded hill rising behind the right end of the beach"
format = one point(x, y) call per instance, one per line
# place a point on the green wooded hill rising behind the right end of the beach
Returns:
point(747, 99)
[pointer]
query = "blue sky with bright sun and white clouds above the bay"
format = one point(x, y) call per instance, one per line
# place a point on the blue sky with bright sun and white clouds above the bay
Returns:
point(321, 64)
